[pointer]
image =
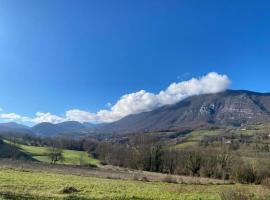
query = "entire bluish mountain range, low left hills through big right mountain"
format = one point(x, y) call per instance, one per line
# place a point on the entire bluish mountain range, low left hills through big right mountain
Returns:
point(229, 108)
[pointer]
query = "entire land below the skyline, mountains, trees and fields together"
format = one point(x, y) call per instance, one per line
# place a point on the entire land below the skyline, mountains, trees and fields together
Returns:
point(202, 159)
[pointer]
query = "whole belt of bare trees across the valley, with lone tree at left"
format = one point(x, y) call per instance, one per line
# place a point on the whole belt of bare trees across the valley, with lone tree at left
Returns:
point(150, 154)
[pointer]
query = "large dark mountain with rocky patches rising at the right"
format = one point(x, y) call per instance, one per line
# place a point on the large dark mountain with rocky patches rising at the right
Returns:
point(228, 108)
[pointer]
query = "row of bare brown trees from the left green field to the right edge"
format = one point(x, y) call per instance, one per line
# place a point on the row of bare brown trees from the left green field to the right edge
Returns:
point(222, 162)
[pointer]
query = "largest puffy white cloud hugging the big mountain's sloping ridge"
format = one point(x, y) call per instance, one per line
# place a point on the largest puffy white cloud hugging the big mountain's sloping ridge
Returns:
point(145, 101)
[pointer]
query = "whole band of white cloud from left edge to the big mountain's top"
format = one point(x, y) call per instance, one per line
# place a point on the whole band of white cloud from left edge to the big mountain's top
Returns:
point(137, 102)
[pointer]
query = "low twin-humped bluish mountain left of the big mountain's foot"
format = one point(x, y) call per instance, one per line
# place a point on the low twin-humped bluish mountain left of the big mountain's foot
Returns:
point(49, 129)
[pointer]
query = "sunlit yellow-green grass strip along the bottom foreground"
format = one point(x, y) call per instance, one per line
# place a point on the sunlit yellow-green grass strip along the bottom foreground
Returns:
point(43, 185)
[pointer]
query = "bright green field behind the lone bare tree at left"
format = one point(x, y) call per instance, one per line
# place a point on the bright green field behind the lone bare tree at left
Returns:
point(70, 157)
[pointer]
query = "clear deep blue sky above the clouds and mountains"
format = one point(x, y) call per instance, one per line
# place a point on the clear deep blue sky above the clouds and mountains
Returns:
point(60, 55)
